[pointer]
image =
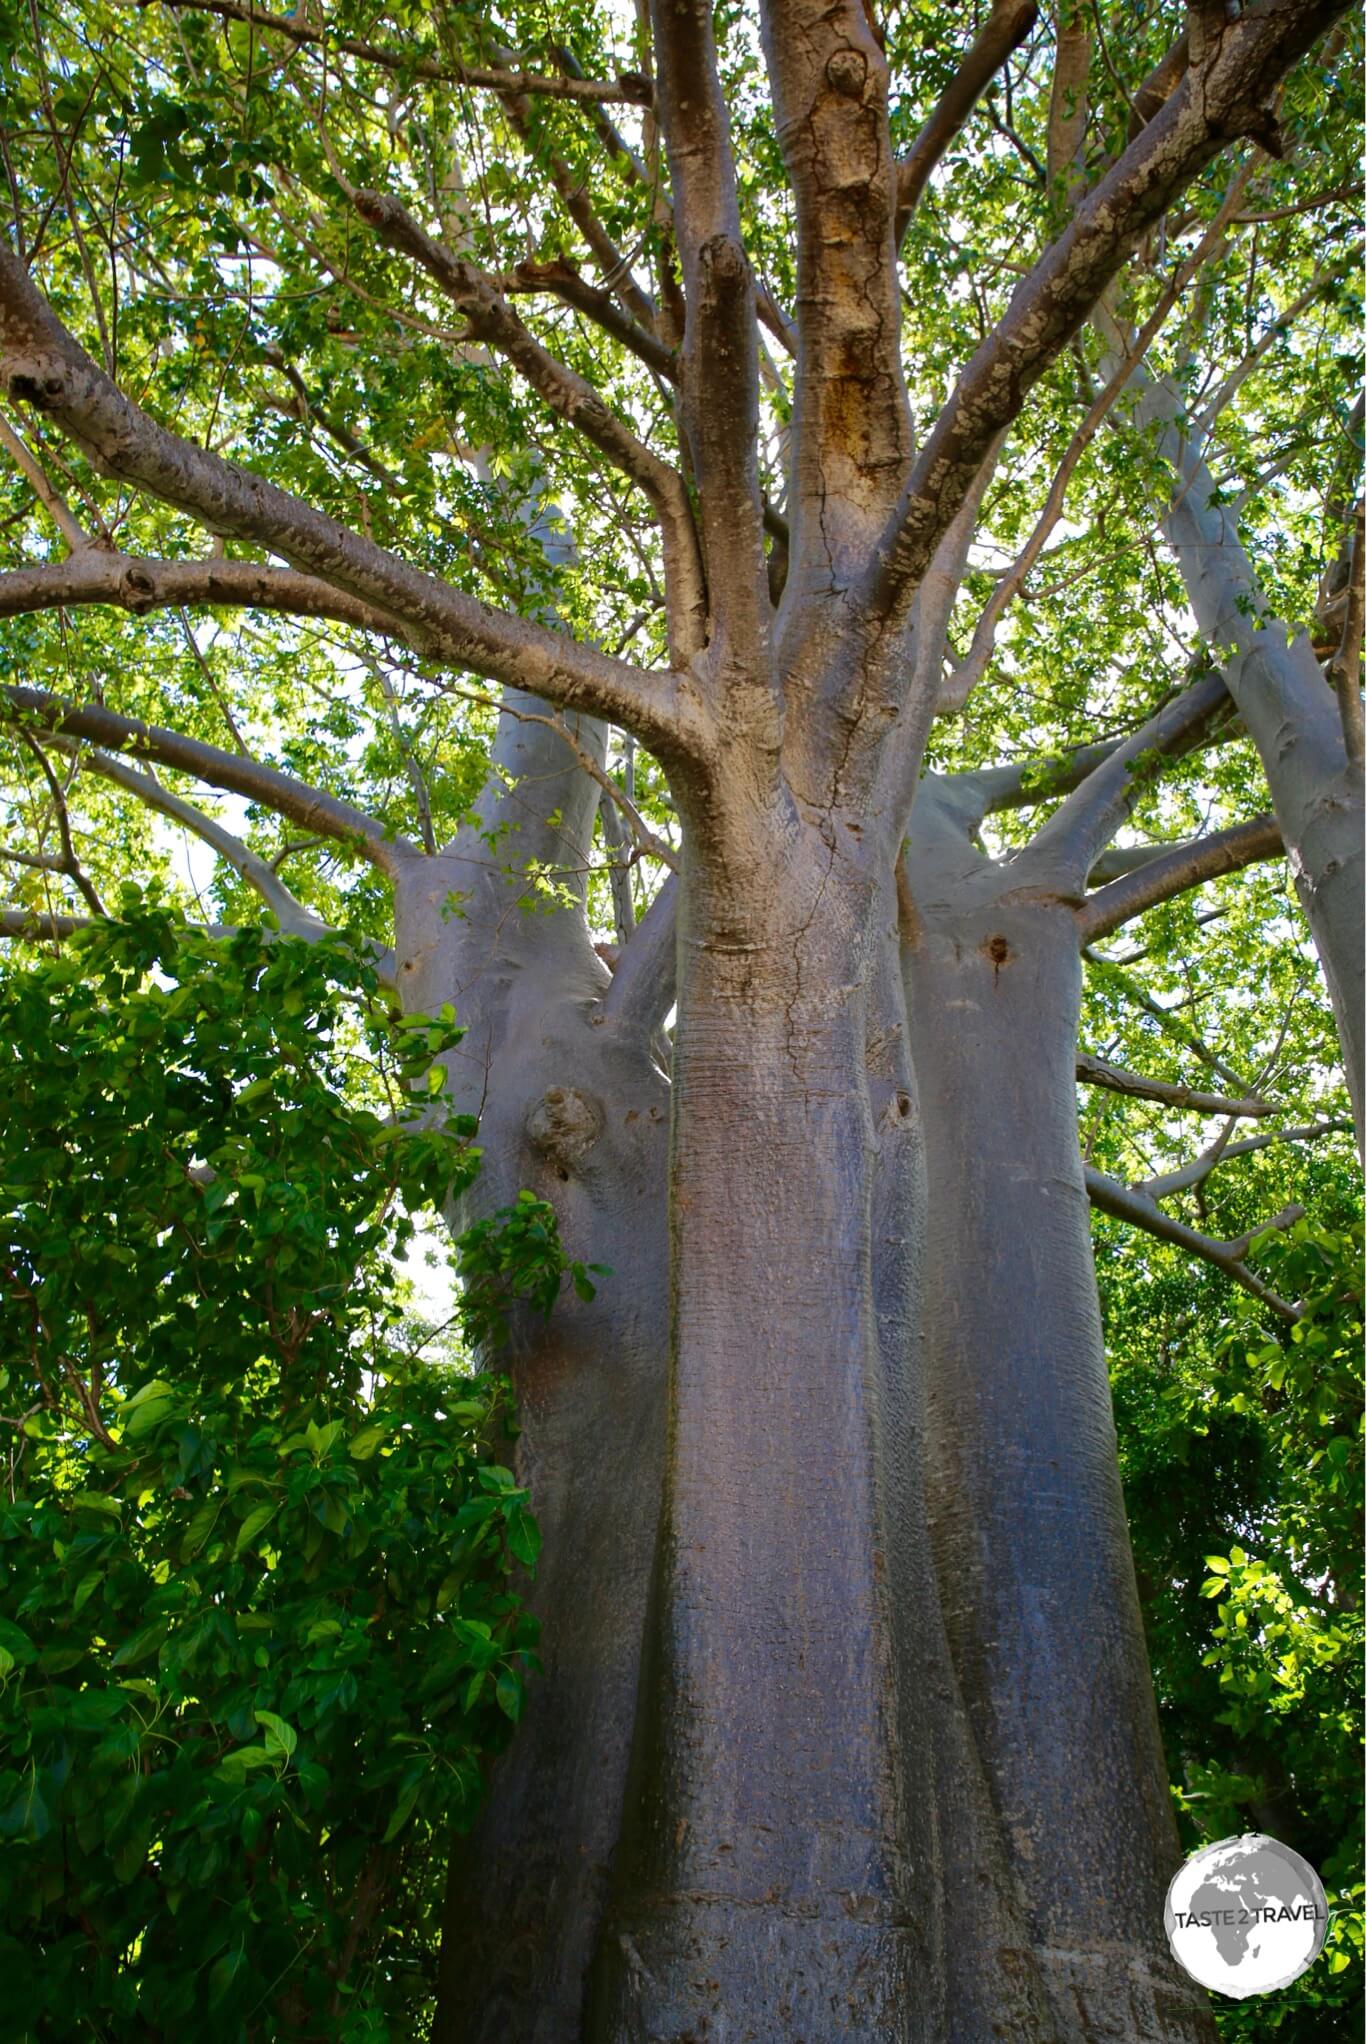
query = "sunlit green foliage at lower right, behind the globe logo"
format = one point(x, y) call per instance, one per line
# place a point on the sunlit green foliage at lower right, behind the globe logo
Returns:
point(1242, 1452)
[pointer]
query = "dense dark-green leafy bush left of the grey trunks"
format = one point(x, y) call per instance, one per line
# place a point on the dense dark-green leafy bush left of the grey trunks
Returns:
point(259, 1622)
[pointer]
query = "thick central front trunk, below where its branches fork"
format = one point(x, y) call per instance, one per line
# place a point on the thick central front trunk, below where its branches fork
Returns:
point(780, 1869)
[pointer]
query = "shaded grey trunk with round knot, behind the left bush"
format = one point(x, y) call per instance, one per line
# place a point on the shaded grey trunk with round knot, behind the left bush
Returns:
point(574, 1109)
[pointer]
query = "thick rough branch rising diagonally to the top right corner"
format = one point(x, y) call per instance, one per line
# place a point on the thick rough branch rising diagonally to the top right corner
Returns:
point(1218, 101)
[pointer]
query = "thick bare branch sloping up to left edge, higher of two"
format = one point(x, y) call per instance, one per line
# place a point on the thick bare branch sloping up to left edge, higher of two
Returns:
point(42, 365)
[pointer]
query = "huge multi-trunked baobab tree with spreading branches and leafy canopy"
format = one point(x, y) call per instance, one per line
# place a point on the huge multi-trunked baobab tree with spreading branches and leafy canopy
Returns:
point(692, 418)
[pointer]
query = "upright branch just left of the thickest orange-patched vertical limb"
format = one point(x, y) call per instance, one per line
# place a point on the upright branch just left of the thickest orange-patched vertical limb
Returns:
point(719, 363)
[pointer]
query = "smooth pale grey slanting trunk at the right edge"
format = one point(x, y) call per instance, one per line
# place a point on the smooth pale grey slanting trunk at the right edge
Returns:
point(1291, 718)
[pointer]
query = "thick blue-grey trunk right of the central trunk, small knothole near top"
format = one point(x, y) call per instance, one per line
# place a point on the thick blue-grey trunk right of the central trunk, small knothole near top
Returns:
point(1023, 1483)
